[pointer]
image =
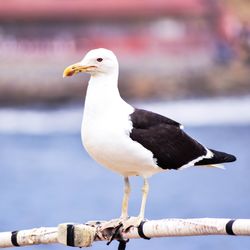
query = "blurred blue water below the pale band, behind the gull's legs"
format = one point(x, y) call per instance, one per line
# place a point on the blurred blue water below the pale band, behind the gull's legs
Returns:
point(47, 179)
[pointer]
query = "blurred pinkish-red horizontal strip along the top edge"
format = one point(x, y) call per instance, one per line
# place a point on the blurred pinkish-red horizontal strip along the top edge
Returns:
point(84, 9)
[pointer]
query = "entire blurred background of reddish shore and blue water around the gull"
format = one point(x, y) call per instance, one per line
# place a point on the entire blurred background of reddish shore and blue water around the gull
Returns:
point(188, 60)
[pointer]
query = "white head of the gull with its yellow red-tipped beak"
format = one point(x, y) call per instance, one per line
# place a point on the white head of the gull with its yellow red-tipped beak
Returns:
point(95, 62)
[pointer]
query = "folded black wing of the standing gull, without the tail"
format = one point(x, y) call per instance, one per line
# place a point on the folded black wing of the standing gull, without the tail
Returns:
point(170, 145)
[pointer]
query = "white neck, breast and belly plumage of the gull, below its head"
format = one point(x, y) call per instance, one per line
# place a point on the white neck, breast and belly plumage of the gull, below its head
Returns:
point(106, 128)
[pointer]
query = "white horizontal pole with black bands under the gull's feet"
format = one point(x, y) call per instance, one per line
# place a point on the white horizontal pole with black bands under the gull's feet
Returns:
point(83, 235)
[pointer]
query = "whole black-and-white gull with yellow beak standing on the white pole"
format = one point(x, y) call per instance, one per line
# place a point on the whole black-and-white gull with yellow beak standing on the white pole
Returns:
point(131, 141)
